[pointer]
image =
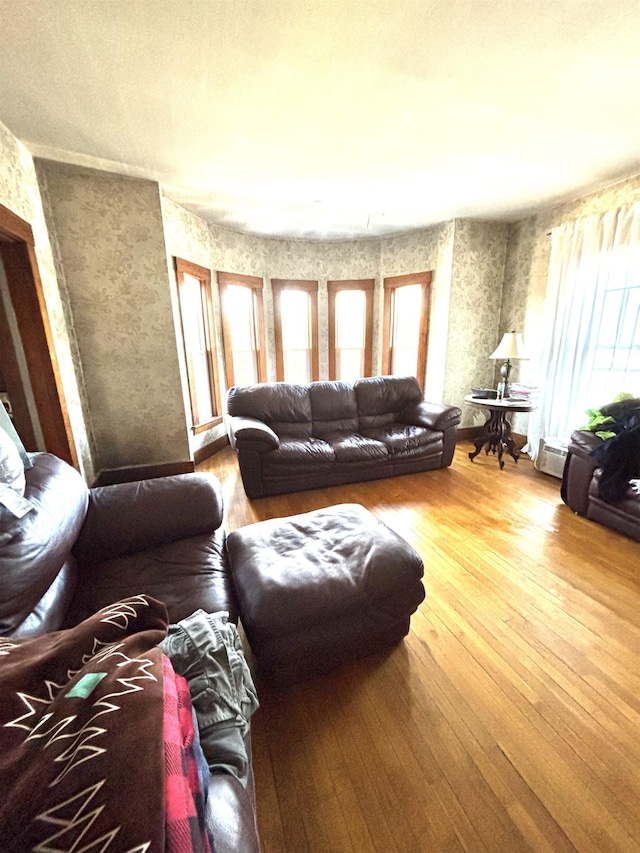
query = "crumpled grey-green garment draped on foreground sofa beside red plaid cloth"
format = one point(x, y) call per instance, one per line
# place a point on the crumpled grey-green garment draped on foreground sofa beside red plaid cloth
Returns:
point(206, 649)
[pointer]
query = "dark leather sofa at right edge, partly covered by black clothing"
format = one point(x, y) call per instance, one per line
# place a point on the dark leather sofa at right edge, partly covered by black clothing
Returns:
point(581, 488)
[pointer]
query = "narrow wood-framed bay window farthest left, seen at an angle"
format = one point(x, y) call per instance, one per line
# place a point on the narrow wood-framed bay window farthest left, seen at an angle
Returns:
point(196, 314)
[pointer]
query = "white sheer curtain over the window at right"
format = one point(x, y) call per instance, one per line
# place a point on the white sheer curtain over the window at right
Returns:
point(591, 349)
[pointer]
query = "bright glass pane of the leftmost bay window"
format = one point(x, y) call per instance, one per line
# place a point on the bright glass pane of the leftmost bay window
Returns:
point(196, 342)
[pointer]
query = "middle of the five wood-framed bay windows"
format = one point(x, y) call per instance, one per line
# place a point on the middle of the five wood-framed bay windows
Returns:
point(295, 307)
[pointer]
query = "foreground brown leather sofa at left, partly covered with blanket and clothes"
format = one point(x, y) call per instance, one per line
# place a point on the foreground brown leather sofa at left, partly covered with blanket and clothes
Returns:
point(81, 549)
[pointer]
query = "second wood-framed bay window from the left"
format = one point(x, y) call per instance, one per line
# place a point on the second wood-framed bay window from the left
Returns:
point(242, 329)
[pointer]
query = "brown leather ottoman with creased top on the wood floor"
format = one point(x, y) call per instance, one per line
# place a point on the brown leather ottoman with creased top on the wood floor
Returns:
point(321, 588)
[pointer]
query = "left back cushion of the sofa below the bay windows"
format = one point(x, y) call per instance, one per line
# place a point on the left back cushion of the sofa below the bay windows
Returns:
point(283, 406)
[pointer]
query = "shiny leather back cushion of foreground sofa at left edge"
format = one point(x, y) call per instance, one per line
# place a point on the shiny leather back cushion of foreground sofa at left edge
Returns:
point(36, 570)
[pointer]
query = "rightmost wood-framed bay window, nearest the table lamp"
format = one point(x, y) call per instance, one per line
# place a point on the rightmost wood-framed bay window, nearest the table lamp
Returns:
point(406, 325)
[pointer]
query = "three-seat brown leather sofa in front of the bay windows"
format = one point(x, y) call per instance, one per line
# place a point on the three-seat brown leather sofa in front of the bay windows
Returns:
point(295, 437)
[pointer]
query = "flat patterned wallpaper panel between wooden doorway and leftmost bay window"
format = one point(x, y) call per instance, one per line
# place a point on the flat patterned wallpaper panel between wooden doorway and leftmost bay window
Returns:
point(109, 229)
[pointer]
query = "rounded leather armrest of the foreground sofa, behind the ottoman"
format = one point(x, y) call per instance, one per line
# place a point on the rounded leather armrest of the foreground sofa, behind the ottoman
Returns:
point(130, 517)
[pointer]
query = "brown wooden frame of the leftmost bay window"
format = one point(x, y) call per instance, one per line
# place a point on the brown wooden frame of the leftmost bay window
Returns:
point(204, 277)
